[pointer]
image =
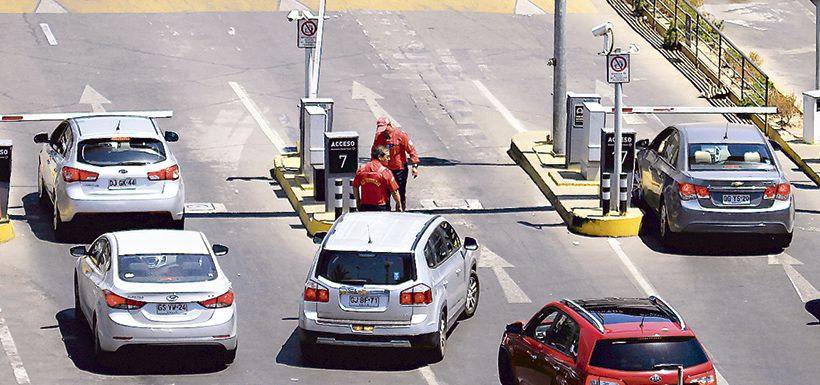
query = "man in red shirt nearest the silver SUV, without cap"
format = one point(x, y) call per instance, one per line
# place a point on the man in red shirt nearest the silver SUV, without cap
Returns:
point(376, 181)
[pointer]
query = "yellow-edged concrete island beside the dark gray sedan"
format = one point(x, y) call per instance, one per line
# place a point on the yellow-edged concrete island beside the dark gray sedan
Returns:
point(575, 199)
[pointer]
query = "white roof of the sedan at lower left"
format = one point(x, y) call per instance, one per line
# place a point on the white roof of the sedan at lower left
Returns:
point(160, 242)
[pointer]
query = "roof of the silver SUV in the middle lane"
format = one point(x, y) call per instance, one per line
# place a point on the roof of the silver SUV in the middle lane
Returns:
point(378, 231)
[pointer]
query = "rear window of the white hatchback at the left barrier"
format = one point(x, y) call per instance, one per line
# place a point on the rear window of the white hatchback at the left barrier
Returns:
point(120, 151)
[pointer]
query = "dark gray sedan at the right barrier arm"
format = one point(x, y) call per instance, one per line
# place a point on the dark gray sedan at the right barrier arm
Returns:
point(714, 178)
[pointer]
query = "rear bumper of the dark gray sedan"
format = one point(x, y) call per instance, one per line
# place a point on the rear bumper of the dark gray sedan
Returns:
point(689, 216)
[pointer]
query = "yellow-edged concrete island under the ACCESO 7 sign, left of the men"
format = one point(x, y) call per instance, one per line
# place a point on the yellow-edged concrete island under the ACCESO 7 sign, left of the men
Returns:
point(300, 194)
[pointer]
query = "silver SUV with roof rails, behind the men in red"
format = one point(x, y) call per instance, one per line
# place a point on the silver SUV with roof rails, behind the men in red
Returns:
point(388, 280)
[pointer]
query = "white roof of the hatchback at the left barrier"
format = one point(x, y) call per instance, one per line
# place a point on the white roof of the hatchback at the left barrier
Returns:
point(102, 126)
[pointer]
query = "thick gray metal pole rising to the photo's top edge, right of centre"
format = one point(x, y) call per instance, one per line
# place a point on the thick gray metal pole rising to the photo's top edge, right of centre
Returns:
point(559, 81)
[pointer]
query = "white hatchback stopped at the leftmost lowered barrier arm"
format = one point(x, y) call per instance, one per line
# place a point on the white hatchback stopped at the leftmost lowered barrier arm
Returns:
point(109, 165)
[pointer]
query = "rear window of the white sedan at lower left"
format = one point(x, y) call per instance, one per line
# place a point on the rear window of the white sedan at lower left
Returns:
point(160, 268)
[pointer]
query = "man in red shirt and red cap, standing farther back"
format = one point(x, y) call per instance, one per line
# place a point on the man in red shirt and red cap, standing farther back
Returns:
point(399, 145)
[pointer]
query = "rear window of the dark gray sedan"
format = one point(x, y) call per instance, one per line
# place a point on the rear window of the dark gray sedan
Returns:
point(730, 157)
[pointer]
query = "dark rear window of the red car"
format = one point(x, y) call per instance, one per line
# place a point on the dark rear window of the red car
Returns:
point(646, 354)
